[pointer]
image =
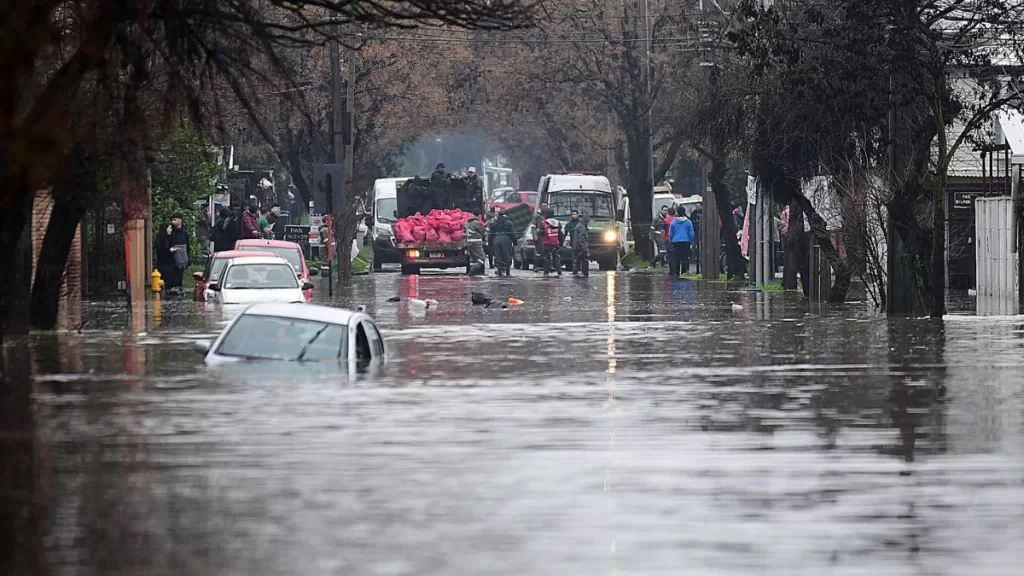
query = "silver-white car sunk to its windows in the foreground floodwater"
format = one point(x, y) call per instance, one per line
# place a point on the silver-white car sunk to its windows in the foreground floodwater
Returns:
point(298, 334)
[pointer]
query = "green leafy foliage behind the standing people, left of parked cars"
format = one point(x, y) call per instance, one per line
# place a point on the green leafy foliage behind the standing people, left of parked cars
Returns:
point(183, 175)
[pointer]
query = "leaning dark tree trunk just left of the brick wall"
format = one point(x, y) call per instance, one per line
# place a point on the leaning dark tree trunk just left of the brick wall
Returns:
point(52, 262)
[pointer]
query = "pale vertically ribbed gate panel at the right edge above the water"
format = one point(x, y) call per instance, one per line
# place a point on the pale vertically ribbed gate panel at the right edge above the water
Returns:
point(995, 255)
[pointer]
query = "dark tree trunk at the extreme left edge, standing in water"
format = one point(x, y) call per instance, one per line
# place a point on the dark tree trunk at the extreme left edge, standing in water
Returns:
point(16, 237)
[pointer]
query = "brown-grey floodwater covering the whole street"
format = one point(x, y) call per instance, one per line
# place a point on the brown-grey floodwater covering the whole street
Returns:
point(621, 425)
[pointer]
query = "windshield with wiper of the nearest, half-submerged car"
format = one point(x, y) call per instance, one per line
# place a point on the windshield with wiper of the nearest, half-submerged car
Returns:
point(270, 338)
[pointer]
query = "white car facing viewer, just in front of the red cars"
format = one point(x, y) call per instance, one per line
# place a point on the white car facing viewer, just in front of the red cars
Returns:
point(265, 279)
